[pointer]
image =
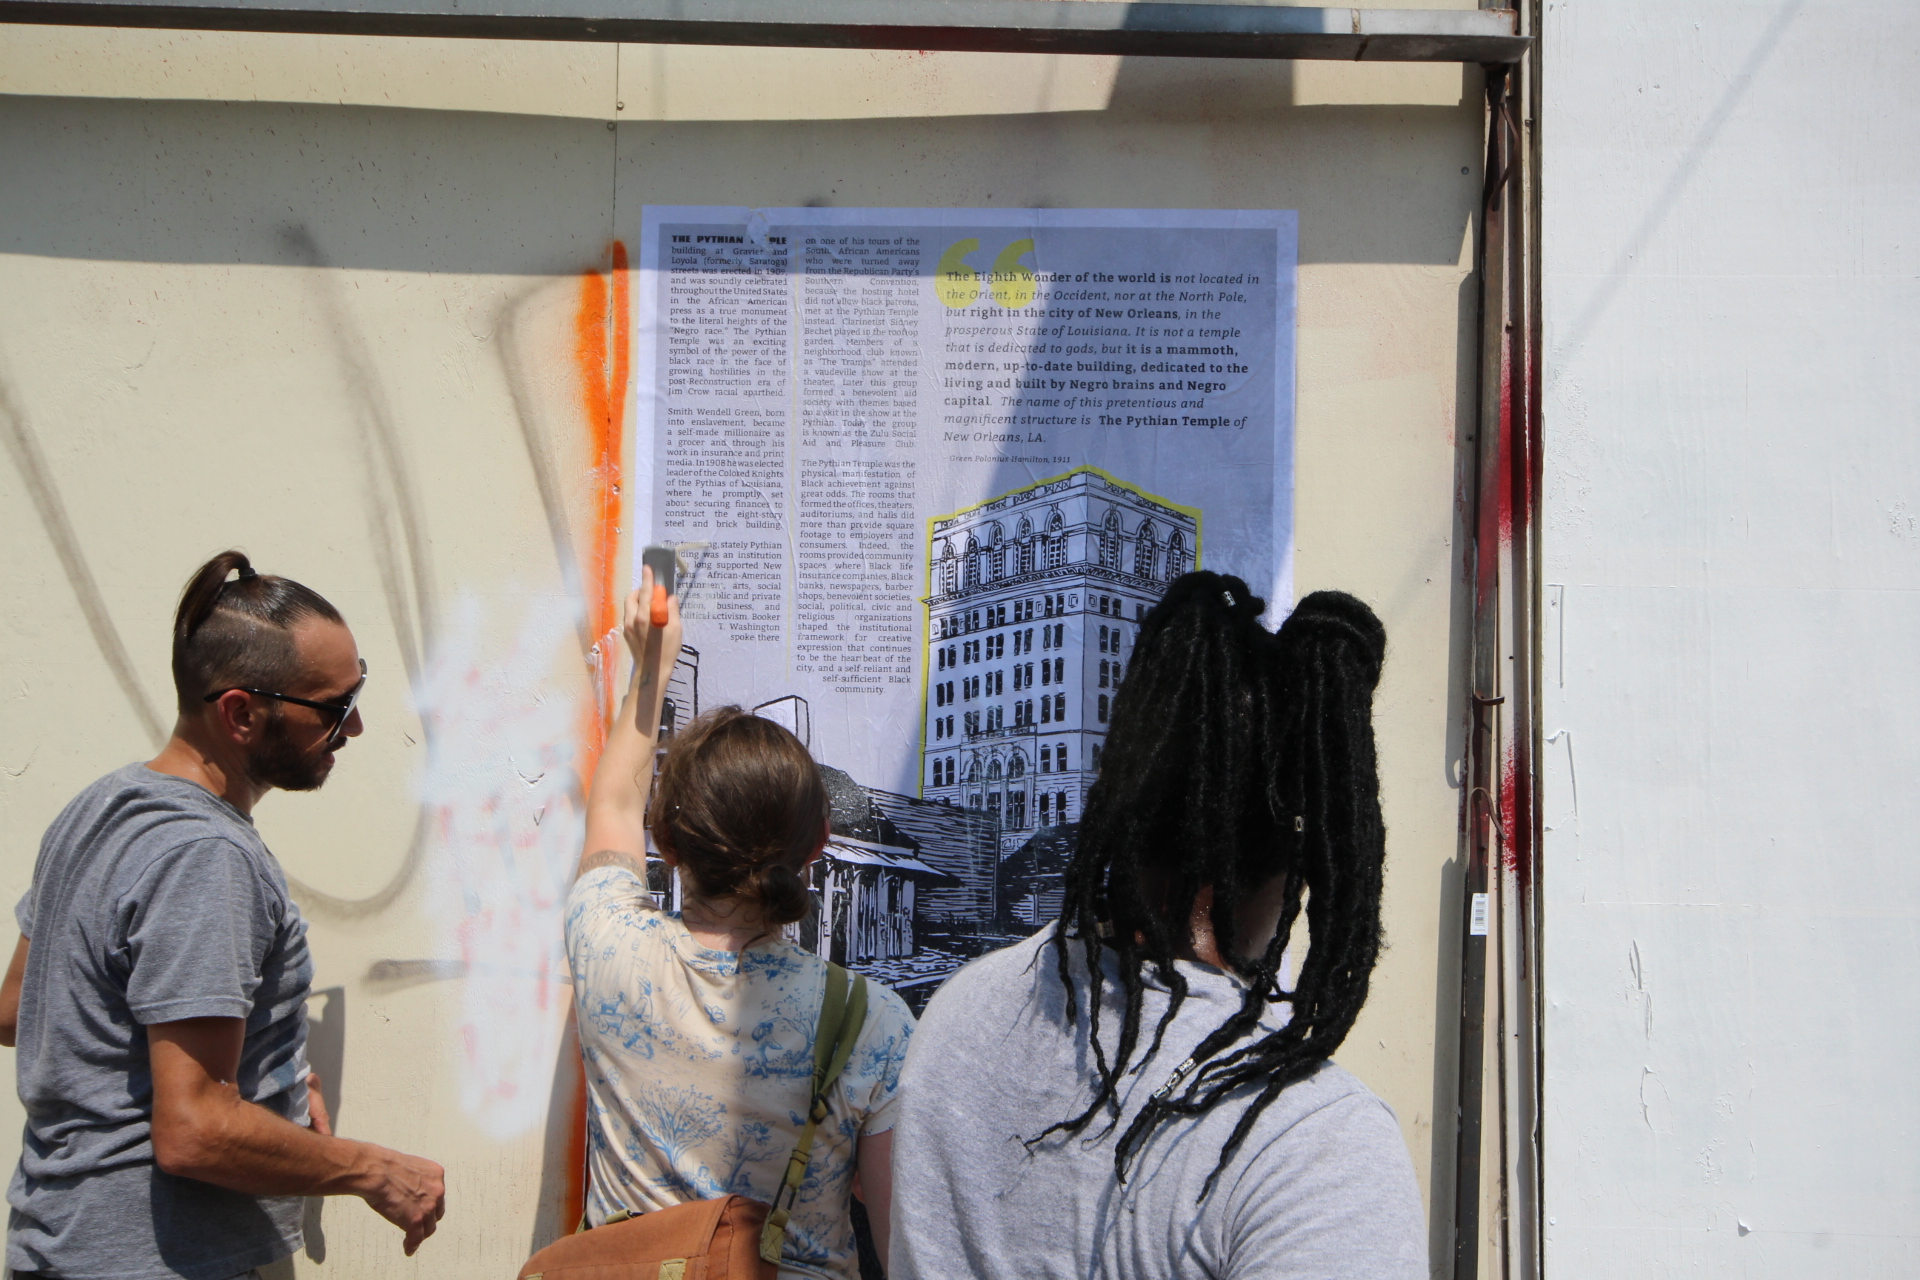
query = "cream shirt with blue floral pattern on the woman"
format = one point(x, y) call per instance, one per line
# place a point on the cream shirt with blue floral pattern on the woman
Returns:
point(700, 1066)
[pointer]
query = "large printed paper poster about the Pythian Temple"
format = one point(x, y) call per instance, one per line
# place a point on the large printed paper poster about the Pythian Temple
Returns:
point(926, 471)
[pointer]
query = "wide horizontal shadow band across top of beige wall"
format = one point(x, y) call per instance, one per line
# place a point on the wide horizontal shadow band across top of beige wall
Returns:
point(456, 193)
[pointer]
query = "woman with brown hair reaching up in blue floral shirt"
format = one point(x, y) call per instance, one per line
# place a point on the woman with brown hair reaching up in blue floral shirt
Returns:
point(698, 1026)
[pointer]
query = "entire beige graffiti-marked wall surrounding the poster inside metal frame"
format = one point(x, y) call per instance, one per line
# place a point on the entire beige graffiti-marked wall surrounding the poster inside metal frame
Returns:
point(347, 339)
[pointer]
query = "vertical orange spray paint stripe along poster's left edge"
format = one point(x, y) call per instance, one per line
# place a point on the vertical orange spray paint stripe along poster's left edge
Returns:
point(604, 360)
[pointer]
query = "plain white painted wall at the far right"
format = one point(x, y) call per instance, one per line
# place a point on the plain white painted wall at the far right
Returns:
point(1733, 521)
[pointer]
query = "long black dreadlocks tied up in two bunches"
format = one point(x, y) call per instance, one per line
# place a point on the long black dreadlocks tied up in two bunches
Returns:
point(1237, 759)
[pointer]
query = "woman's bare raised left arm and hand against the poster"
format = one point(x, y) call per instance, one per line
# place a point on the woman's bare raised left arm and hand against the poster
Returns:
point(617, 803)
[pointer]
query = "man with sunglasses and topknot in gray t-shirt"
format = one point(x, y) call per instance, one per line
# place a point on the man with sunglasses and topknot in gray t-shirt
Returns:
point(160, 1010)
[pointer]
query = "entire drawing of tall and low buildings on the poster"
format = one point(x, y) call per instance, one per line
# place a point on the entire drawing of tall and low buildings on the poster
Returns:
point(1034, 605)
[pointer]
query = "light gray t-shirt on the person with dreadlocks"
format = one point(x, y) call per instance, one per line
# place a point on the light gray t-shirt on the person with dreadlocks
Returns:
point(1320, 1191)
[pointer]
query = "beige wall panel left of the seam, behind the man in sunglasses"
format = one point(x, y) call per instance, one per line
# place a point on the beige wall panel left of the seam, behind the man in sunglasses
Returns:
point(187, 377)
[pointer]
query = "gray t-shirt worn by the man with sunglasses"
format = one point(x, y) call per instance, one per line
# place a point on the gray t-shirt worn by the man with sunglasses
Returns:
point(153, 901)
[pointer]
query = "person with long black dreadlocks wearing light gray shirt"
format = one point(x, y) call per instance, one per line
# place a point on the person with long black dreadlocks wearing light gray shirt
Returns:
point(1138, 1093)
